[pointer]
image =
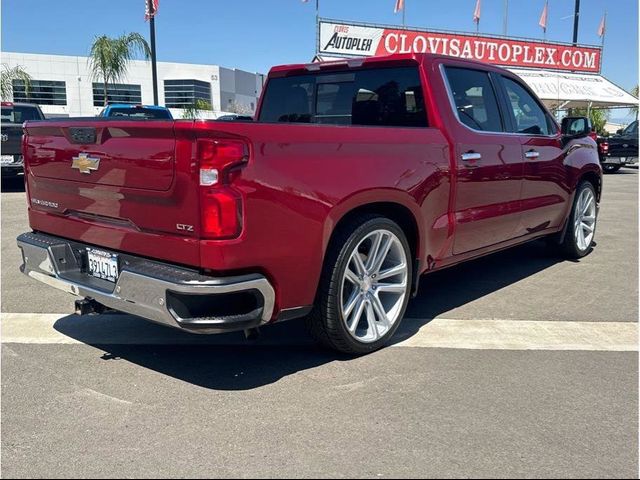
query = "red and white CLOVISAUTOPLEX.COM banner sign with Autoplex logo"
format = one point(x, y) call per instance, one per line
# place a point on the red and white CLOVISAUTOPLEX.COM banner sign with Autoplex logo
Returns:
point(362, 40)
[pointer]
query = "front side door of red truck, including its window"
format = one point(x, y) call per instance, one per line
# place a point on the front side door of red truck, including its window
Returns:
point(544, 193)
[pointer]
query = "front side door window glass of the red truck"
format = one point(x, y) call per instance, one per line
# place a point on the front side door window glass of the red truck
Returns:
point(530, 117)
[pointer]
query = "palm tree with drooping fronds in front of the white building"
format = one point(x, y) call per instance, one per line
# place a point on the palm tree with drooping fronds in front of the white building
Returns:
point(109, 57)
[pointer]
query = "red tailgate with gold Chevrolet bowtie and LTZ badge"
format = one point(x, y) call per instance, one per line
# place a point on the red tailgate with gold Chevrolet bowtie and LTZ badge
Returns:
point(124, 185)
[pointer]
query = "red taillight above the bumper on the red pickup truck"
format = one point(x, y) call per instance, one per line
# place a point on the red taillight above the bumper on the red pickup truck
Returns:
point(221, 204)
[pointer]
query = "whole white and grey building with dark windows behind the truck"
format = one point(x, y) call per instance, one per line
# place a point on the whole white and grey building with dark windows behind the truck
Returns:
point(62, 85)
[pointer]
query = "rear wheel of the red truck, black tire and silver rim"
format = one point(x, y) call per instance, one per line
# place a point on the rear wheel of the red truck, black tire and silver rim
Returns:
point(364, 288)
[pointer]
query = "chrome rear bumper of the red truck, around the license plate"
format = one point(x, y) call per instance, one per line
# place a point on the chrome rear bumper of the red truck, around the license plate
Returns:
point(164, 293)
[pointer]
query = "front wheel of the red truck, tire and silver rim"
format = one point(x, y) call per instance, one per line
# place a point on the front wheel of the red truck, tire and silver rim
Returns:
point(581, 229)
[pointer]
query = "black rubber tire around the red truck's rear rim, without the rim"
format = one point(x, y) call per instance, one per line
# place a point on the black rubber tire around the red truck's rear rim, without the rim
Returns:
point(325, 322)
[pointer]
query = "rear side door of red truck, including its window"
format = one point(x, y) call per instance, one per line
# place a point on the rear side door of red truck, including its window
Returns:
point(488, 162)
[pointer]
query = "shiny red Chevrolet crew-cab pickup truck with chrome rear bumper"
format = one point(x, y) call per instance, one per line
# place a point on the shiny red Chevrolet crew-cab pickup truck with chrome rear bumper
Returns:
point(355, 178)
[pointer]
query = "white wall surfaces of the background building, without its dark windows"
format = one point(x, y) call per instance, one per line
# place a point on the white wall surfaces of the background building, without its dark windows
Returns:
point(75, 72)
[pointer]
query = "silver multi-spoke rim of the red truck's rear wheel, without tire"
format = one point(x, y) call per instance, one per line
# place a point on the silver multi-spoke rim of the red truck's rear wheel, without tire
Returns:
point(374, 286)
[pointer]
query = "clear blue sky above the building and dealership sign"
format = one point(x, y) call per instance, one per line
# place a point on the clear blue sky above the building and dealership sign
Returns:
point(253, 35)
